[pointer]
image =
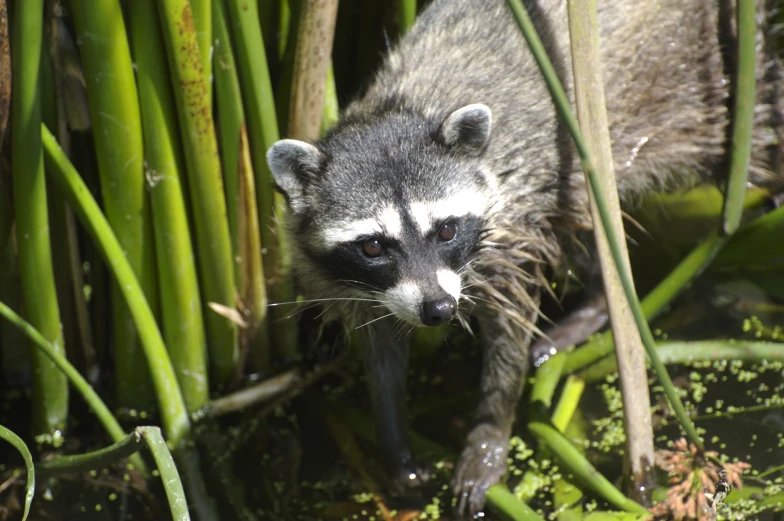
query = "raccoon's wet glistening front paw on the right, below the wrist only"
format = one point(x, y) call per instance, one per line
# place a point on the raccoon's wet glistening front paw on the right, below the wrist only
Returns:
point(481, 465)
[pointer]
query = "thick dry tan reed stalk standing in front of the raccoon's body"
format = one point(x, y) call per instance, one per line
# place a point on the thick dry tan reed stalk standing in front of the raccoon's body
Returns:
point(630, 353)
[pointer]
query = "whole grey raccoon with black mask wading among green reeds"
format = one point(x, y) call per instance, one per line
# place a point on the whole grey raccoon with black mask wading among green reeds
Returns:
point(450, 187)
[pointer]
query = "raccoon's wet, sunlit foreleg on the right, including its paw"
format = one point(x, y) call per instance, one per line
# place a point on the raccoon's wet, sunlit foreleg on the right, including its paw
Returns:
point(483, 460)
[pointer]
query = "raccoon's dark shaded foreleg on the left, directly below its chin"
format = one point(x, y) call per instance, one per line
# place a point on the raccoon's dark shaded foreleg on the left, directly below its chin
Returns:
point(386, 364)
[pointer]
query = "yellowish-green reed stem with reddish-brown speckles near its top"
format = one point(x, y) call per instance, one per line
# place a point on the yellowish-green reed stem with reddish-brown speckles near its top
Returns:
point(206, 186)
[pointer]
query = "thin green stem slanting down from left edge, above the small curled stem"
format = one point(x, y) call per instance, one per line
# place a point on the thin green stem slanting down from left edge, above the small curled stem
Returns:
point(46, 348)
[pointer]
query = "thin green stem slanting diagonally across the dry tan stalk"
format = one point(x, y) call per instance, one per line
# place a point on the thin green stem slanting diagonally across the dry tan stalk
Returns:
point(562, 104)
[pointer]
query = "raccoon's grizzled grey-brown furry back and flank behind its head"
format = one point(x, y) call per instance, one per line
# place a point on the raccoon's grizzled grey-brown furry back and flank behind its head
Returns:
point(665, 80)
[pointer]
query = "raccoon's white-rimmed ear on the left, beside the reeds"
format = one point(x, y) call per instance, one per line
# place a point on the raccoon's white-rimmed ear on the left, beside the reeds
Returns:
point(294, 164)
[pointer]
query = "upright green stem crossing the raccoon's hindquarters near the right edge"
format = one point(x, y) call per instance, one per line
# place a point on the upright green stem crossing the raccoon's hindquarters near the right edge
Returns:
point(743, 116)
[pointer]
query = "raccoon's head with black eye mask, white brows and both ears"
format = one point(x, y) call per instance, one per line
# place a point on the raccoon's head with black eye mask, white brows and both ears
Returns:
point(390, 207)
